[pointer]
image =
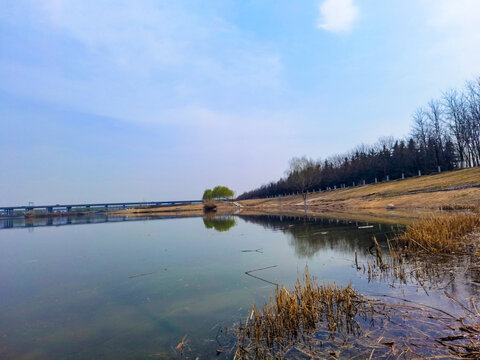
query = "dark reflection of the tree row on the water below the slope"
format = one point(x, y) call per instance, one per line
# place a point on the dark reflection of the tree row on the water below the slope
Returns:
point(310, 235)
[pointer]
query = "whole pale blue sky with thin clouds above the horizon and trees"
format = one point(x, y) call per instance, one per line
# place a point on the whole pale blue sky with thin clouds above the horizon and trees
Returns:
point(150, 100)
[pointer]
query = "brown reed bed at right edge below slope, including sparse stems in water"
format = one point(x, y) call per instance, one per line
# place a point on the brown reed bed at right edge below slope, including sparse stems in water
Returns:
point(429, 251)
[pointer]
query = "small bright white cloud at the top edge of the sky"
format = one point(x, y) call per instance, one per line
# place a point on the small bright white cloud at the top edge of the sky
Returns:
point(337, 15)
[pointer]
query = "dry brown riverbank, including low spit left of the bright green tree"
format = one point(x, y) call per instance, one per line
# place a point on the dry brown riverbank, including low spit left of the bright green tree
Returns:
point(398, 201)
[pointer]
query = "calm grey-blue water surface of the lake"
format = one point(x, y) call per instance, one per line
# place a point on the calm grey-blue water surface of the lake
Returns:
point(134, 289)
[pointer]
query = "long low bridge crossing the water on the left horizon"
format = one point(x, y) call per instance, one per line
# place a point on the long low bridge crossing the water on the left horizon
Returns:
point(9, 210)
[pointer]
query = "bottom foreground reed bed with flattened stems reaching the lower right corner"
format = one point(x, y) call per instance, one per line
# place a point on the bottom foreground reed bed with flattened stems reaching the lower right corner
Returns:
point(313, 321)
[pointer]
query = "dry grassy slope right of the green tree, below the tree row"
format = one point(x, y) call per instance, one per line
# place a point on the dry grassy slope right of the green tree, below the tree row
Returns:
point(405, 198)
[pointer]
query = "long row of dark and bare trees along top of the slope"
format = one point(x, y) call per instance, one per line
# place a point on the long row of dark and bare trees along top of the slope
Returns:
point(445, 135)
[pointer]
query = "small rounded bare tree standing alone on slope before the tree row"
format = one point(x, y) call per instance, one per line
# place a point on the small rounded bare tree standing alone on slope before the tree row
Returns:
point(303, 173)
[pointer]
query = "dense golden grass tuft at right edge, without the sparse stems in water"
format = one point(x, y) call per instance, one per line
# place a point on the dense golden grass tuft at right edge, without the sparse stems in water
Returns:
point(440, 234)
